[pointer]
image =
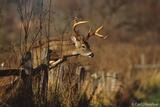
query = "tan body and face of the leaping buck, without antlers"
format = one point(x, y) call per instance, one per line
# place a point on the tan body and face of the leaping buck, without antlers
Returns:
point(66, 48)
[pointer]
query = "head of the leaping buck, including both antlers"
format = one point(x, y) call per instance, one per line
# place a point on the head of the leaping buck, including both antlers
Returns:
point(80, 42)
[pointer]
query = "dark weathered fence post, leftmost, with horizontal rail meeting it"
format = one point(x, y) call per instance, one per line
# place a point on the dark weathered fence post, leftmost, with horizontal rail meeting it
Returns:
point(26, 76)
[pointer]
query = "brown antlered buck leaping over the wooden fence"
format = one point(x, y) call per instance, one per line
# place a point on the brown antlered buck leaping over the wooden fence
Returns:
point(78, 45)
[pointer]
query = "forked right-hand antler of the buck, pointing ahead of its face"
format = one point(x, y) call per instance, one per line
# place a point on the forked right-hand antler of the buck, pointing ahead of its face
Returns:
point(95, 33)
